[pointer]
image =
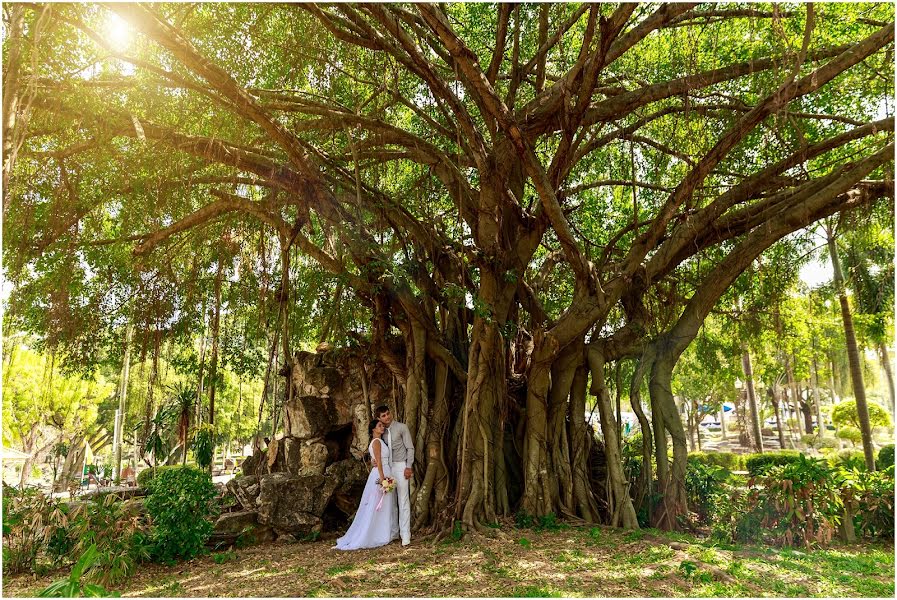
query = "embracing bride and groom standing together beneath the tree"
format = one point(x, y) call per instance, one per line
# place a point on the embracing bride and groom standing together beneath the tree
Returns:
point(385, 507)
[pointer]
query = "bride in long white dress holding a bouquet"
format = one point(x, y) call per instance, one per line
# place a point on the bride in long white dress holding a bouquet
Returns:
point(376, 521)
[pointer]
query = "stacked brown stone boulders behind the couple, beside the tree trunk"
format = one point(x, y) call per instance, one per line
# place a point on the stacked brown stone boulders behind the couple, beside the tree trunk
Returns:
point(310, 477)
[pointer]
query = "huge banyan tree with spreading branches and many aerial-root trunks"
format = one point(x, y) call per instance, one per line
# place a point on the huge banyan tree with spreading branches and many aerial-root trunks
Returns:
point(500, 203)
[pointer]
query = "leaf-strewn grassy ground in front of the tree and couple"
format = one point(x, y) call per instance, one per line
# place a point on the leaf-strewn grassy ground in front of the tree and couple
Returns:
point(575, 562)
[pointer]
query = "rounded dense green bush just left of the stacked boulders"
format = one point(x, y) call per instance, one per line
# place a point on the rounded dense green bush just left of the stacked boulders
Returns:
point(181, 503)
